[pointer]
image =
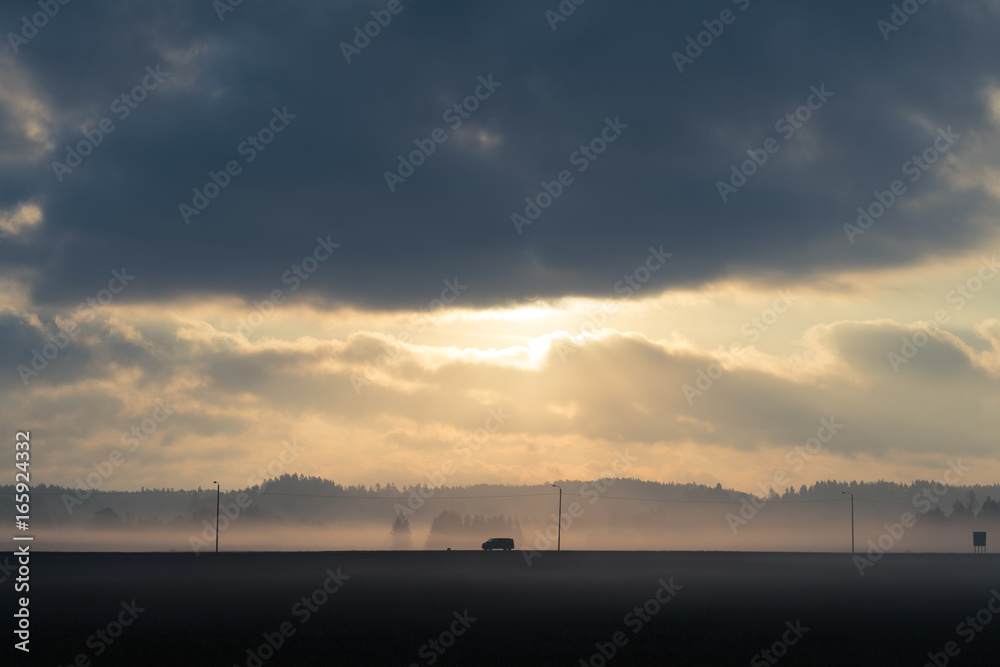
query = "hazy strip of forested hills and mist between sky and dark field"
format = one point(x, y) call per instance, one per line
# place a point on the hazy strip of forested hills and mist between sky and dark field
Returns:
point(294, 513)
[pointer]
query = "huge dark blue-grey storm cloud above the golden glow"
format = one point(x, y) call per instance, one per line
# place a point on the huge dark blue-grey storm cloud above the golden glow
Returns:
point(323, 174)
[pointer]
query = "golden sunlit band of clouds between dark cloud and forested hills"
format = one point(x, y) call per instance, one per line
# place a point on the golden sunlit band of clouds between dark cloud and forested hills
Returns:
point(579, 382)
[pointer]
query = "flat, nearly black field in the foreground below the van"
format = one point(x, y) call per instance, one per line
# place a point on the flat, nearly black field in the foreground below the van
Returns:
point(210, 609)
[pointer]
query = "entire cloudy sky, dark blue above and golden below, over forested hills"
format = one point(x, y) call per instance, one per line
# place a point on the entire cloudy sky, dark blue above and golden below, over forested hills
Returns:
point(728, 243)
